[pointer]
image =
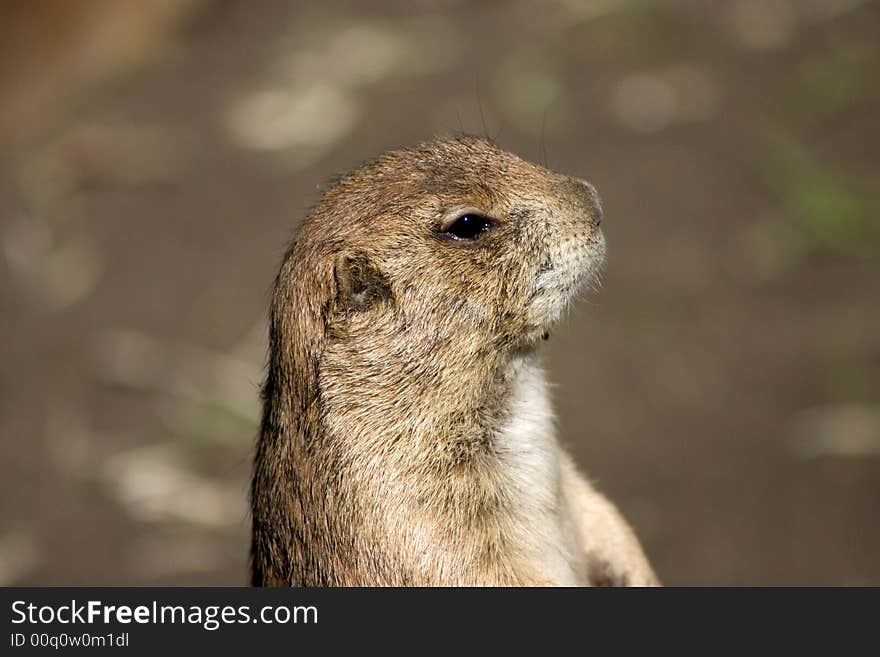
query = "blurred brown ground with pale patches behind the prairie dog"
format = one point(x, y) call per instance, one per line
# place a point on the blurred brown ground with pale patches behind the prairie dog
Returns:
point(723, 387)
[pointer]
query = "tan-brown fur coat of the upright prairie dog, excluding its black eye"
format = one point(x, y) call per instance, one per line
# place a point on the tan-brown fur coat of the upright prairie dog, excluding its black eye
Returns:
point(396, 446)
